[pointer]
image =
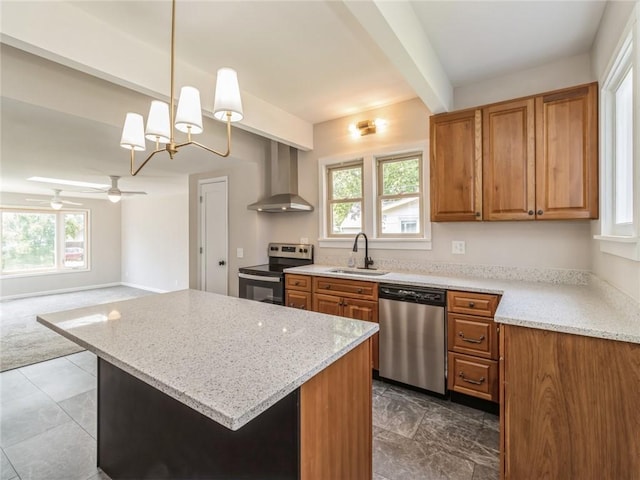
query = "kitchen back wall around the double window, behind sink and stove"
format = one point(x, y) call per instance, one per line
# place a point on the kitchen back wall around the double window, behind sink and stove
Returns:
point(518, 244)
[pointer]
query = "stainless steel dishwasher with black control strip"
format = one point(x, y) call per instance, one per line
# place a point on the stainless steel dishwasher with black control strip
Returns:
point(413, 336)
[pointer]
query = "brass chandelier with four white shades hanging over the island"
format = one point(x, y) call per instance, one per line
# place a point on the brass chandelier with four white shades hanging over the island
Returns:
point(188, 117)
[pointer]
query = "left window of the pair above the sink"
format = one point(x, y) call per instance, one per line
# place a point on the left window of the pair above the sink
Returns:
point(345, 199)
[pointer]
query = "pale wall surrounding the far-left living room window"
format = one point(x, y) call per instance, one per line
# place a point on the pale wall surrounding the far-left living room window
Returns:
point(105, 252)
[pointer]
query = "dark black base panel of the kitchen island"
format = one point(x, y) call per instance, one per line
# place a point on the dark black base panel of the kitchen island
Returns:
point(145, 434)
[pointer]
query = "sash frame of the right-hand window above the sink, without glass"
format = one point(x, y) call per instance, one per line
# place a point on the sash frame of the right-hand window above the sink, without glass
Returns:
point(380, 196)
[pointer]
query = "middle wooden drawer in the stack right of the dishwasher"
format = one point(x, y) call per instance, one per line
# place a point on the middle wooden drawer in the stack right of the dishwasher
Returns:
point(473, 335)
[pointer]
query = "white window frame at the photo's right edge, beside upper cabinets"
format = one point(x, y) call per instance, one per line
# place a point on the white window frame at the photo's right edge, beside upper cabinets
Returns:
point(620, 239)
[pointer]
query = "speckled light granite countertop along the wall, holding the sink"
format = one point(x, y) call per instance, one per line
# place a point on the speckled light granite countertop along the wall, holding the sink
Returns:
point(596, 309)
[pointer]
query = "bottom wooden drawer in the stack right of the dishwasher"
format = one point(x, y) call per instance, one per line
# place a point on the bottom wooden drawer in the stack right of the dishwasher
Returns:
point(473, 376)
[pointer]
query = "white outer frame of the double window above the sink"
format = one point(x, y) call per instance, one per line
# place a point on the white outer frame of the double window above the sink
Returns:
point(370, 202)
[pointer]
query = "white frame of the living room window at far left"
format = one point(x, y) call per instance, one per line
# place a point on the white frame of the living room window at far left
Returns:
point(59, 241)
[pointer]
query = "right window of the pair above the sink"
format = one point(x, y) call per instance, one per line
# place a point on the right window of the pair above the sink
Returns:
point(399, 195)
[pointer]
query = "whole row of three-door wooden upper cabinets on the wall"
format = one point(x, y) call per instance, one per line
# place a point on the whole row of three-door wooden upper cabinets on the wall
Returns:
point(534, 158)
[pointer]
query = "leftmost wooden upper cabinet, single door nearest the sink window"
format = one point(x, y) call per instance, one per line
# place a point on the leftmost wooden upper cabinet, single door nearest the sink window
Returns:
point(456, 166)
